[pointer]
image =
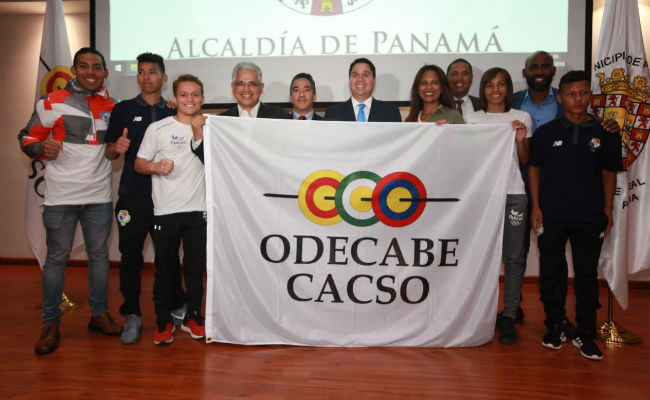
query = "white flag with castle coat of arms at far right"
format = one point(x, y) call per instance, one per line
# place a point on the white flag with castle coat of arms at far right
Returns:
point(620, 86)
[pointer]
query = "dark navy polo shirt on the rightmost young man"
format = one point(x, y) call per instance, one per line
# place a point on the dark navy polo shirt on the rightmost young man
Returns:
point(571, 159)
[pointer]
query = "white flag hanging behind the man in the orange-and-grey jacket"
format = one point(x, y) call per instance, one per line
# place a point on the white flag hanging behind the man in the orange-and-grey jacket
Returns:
point(53, 74)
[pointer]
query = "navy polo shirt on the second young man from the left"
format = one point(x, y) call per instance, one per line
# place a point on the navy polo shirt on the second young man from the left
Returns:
point(136, 115)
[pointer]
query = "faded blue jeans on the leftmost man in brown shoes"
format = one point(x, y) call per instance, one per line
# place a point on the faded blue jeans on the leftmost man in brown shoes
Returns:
point(60, 224)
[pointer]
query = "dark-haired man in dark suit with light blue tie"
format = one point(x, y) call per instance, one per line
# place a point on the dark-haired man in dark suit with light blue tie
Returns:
point(361, 106)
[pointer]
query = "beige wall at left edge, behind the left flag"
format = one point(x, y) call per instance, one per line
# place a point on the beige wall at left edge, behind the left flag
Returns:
point(20, 45)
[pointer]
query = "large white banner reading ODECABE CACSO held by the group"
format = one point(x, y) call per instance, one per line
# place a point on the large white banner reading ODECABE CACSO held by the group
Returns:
point(327, 233)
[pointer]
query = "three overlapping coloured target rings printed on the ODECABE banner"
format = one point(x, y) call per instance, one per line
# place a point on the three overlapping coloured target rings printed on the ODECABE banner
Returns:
point(362, 198)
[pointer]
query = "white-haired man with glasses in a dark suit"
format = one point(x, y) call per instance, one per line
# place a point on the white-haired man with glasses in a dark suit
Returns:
point(247, 87)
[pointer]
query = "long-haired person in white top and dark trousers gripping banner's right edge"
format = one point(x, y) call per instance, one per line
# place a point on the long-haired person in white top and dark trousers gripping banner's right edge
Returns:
point(495, 101)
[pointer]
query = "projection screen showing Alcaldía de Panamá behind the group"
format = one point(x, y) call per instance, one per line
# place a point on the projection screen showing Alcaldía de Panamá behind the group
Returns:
point(284, 37)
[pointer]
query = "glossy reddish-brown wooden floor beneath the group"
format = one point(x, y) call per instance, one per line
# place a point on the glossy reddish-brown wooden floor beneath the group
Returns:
point(91, 366)
